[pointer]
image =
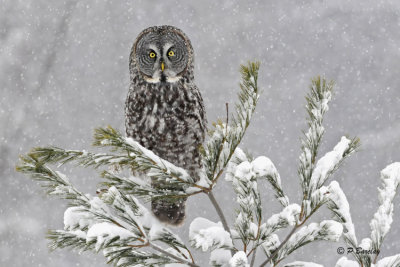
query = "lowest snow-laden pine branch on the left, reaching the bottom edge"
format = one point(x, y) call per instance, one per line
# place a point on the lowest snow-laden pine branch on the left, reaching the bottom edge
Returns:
point(111, 223)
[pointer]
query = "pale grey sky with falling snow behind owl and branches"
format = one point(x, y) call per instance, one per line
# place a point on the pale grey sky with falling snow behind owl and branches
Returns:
point(64, 71)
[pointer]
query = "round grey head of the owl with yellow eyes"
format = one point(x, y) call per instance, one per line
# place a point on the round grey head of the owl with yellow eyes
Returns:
point(161, 54)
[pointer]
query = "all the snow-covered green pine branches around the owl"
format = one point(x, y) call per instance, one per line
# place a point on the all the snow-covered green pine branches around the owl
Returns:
point(116, 223)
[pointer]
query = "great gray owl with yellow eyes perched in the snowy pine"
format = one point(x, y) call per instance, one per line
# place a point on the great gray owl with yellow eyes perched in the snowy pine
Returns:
point(164, 109)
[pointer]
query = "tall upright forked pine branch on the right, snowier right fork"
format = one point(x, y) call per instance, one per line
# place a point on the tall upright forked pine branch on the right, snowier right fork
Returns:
point(314, 174)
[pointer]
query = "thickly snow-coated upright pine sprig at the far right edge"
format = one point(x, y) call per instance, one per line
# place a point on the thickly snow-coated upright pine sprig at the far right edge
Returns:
point(383, 218)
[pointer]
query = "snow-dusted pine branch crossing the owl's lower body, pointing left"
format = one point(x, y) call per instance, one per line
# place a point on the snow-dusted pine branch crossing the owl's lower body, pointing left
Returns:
point(131, 155)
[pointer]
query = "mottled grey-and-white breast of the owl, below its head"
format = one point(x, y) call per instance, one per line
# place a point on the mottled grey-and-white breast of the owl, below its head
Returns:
point(169, 119)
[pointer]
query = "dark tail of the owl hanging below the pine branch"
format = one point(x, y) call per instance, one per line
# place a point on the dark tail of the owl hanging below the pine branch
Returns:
point(169, 212)
